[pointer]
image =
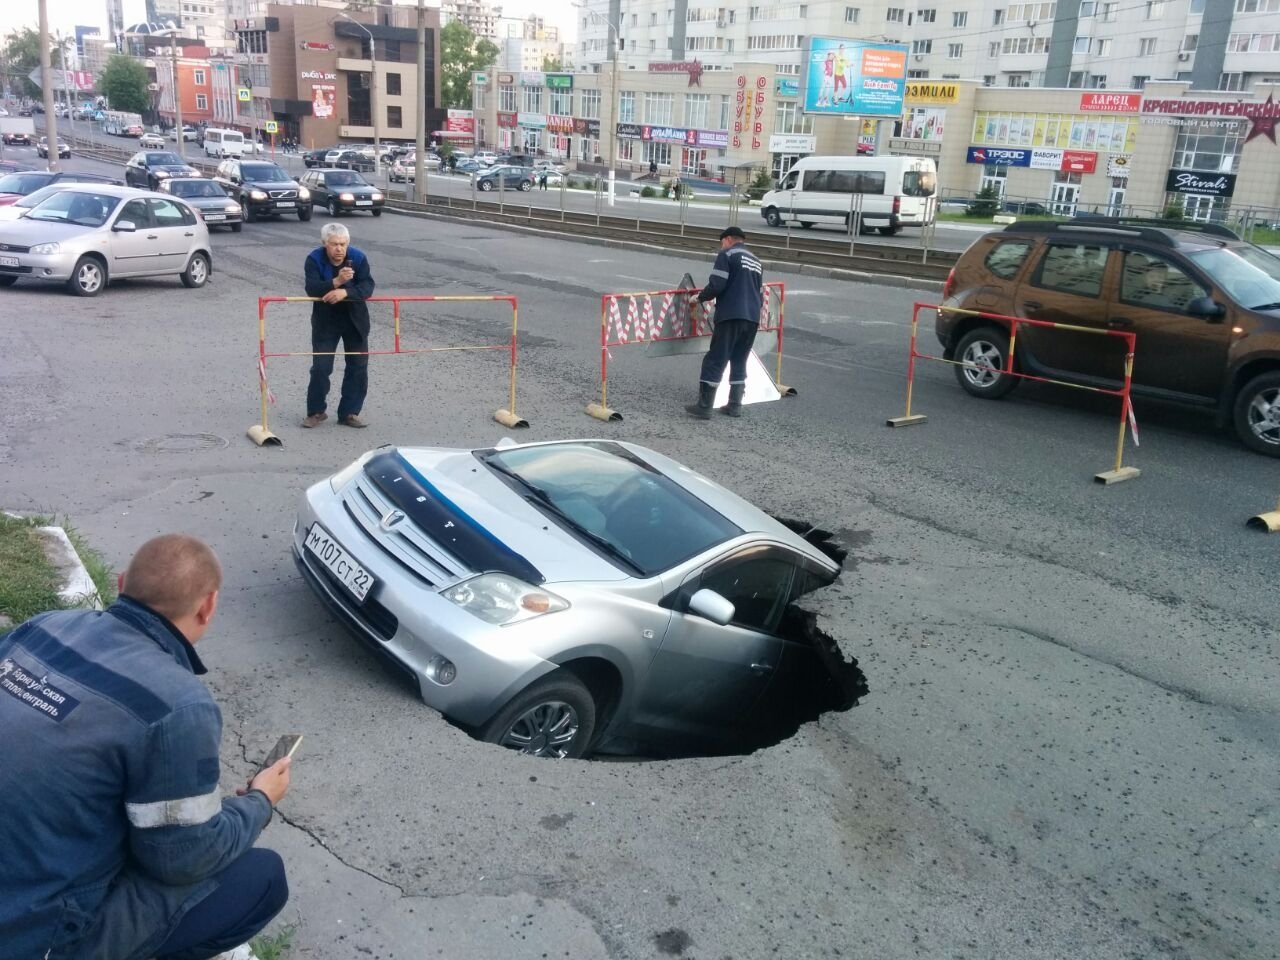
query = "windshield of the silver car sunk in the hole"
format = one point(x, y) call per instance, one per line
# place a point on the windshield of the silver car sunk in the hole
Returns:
point(616, 501)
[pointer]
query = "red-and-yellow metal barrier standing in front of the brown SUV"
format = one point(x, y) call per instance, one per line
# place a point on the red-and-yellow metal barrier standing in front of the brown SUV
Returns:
point(1119, 472)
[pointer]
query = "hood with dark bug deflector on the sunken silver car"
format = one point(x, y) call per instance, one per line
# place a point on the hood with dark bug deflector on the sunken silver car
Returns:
point(493, 527)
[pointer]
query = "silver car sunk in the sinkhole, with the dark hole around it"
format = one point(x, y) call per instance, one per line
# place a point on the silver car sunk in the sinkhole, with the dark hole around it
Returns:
point(573, 597)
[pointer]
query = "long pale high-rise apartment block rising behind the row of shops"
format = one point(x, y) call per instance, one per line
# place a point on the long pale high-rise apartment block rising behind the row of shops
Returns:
point(1229, 45)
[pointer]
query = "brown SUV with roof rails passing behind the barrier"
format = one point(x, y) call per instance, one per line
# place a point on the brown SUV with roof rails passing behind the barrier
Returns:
point(1204, 304)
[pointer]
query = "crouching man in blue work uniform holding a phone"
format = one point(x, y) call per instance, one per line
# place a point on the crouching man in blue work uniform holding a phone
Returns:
point(116, 840)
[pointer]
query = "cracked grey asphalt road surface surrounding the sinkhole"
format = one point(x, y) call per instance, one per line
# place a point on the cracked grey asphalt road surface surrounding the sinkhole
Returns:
point(1071, 743)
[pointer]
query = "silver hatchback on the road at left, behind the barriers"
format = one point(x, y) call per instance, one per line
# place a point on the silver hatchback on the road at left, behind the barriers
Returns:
point(89, 235)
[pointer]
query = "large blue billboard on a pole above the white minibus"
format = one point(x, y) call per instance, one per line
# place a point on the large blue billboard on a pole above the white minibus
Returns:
point(852, 79)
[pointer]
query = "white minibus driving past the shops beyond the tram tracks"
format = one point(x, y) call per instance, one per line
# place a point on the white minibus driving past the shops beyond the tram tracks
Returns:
point(888, 193)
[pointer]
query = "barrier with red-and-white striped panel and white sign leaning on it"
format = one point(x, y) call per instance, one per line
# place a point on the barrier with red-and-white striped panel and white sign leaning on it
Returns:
point(670, 319)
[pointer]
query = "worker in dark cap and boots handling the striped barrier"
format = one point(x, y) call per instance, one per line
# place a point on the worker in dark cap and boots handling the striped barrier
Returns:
point(735, 285)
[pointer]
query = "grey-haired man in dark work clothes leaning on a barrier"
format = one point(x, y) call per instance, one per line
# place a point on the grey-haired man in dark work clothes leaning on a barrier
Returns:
point(339, 276)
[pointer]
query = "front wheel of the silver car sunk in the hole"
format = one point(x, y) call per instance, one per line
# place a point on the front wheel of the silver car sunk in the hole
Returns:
point(554, 717)
